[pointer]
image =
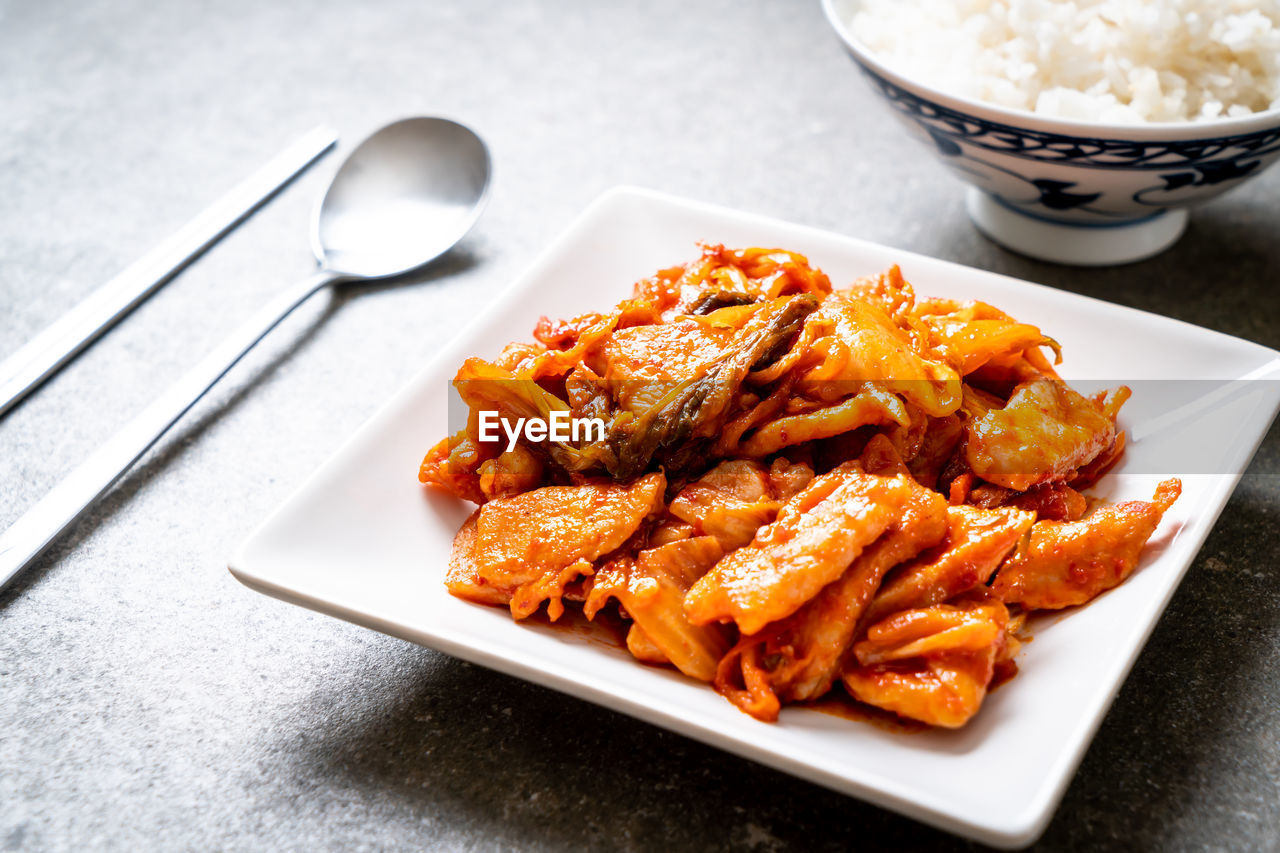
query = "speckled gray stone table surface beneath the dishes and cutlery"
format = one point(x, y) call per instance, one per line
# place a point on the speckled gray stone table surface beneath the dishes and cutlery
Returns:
point(148, 701)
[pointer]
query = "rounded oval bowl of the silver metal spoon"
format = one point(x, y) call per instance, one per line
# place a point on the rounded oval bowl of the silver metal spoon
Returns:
point(403, 199)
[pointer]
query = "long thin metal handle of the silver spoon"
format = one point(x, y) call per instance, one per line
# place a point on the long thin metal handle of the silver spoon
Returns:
point(36, 530)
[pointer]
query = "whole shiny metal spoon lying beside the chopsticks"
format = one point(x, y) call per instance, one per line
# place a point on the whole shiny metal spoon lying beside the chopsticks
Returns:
point(403, 199)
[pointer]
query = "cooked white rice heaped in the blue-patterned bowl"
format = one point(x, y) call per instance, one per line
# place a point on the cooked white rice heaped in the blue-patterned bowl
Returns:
point(1100, 61)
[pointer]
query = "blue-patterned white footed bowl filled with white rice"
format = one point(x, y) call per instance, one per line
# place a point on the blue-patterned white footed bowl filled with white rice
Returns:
point(1086, 129)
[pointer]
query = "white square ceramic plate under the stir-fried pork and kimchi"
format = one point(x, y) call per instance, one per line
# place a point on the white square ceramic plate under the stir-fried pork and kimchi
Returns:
point(363, 541)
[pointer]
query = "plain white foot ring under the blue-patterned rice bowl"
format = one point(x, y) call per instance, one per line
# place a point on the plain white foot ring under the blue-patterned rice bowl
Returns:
point(1077, 245)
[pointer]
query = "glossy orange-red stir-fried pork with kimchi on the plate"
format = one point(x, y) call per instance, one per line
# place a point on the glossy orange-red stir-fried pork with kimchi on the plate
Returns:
point(798, 489)
